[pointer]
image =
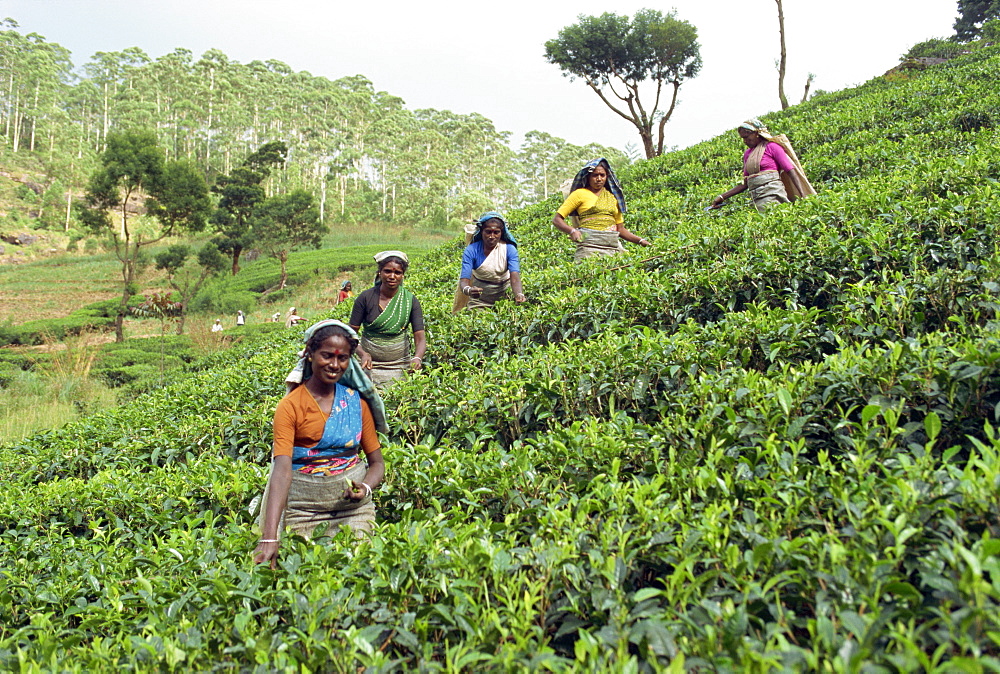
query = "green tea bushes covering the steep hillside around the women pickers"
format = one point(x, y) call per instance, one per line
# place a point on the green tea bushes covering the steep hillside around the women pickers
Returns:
point(768, 443)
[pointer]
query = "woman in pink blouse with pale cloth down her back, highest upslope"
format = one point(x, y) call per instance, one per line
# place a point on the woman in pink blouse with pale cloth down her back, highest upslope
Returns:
point(771, 175)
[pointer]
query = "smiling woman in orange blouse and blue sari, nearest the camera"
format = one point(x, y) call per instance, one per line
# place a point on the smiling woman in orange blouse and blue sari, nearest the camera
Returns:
point(331, 411)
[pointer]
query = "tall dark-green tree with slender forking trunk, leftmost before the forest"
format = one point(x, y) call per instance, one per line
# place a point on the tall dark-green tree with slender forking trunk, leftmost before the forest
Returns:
point(174, 194)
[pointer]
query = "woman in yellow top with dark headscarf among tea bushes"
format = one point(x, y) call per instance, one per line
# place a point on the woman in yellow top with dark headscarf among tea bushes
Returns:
point(599, 203)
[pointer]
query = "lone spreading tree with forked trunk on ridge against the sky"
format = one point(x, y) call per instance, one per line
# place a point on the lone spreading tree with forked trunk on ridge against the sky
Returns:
point(615, 55)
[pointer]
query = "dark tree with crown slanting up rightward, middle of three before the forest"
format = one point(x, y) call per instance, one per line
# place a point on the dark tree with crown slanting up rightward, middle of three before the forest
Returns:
point(239, 193)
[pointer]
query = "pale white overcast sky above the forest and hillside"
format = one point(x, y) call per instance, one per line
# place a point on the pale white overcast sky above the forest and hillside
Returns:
point(489, 57)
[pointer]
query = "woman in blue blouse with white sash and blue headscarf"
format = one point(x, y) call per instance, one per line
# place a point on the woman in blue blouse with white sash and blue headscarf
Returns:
point(490, 265)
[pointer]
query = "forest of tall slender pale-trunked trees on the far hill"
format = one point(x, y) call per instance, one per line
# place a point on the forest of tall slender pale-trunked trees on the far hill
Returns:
point(361, 152)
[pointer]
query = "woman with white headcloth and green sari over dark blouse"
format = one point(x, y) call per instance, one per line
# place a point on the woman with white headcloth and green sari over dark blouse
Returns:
point(384, 315)
